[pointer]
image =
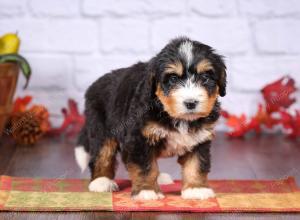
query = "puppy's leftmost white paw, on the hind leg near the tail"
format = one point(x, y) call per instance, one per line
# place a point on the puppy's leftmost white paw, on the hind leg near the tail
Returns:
point(103, 184)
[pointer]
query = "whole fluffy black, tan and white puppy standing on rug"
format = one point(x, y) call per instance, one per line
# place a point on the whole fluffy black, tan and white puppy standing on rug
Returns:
point(161, 108)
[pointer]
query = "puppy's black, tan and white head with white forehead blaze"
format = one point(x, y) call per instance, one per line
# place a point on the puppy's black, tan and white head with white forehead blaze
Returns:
point(190, 77)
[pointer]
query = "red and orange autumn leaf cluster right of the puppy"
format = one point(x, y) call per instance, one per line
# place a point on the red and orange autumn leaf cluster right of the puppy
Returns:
point(276, 100)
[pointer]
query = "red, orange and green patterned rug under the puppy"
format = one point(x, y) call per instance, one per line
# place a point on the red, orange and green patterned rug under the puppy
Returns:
point(27, 194)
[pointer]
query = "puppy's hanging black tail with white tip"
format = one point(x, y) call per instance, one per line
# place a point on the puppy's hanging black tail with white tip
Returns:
point(82, 156)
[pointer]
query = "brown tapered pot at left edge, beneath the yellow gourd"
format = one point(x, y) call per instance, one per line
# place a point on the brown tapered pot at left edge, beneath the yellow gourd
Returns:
point(8, 80)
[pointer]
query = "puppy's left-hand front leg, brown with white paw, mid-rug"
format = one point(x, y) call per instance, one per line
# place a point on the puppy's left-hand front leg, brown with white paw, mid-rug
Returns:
point(144, 181)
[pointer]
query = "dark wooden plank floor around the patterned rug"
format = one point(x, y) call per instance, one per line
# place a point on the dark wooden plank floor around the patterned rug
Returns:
point(266, 157)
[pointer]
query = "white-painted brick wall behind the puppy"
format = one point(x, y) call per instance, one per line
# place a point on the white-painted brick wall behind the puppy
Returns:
point(70, 43)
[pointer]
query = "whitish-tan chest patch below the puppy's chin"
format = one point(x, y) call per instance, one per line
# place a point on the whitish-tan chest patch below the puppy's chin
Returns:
point(182, 141)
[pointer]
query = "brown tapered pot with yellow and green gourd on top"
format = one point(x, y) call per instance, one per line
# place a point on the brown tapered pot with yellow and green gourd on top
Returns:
point(10, 63)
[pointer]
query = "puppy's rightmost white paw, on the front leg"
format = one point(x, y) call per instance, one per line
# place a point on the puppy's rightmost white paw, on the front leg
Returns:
point(197, 193)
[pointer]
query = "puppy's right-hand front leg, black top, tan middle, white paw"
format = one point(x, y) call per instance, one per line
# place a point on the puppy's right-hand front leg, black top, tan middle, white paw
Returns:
point(195, 167)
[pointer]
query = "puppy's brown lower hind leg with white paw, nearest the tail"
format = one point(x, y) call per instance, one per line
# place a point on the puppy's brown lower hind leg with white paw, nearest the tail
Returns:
point(103, 168)
